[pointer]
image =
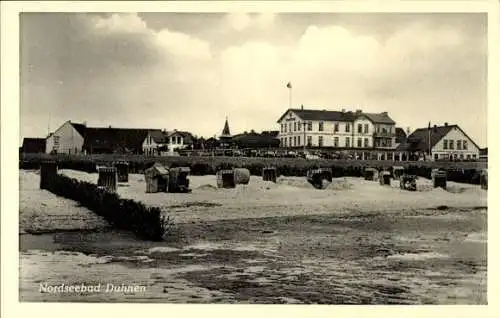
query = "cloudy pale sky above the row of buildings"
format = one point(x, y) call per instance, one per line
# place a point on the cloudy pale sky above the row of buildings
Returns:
point(188, 71)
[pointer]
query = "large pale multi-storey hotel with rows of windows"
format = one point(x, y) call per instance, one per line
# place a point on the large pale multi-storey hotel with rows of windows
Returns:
point(336, 129)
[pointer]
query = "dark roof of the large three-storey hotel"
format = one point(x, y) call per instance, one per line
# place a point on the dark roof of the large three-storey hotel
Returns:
point(343, 116)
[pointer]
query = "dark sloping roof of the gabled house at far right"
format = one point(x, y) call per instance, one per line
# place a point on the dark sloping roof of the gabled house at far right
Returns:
point(419, 139)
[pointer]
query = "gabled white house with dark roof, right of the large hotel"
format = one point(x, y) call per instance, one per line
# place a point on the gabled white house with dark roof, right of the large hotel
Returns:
point(448, 142)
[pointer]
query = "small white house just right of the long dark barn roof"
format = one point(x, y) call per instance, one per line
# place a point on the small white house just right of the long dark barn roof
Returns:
point(162, 142)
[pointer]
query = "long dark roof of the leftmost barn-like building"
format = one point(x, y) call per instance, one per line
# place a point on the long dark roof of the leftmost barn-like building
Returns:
point(114, 139)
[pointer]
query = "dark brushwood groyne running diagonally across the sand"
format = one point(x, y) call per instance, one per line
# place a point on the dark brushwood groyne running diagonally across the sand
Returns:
point(146, 222)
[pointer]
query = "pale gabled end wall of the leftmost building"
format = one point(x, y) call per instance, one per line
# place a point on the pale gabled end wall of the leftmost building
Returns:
point(66, 139)
